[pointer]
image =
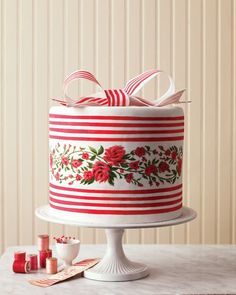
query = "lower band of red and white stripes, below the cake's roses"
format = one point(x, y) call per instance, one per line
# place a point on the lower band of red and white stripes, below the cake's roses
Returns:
point(106, 201)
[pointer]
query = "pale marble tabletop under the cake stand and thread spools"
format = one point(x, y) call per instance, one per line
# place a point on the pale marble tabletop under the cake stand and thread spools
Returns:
point(174, 269)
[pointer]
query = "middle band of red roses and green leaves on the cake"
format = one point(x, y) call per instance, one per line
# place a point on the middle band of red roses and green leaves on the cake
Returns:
point(86, 165)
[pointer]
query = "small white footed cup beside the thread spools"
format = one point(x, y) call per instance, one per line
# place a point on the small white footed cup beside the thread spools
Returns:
point(68, 252)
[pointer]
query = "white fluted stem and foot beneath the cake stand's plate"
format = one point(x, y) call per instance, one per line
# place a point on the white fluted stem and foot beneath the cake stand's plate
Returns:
point(115, 266)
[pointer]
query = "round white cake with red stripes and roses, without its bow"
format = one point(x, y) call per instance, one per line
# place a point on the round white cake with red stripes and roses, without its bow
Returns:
point(116, 165)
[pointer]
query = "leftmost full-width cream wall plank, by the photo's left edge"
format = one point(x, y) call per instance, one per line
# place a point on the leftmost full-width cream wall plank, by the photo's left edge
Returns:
point(10, 122)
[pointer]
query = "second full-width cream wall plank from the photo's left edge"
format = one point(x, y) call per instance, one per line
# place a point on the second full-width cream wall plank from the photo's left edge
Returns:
point(25, 108)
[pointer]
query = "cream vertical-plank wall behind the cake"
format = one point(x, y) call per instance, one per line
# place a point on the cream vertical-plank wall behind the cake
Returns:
point(193, 40)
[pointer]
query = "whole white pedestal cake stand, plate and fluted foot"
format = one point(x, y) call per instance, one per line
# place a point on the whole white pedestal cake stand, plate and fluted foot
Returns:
point(115, 266)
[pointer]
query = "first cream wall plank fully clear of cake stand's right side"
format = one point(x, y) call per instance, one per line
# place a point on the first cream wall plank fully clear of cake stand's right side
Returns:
point(209, 109)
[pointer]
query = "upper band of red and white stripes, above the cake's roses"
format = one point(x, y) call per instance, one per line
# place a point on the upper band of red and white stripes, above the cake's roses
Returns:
point(170, 127)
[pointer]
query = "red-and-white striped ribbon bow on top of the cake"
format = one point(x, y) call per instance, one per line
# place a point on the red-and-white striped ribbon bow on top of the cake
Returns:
point(120, 97)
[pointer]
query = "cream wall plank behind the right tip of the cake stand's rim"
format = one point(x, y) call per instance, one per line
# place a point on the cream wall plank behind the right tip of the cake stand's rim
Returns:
point(195, 138)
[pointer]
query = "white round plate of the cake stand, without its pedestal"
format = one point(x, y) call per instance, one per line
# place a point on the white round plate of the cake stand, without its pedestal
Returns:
point(188, 214)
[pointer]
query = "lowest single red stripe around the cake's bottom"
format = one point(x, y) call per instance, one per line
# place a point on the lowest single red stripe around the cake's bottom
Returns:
point(118, 212)
